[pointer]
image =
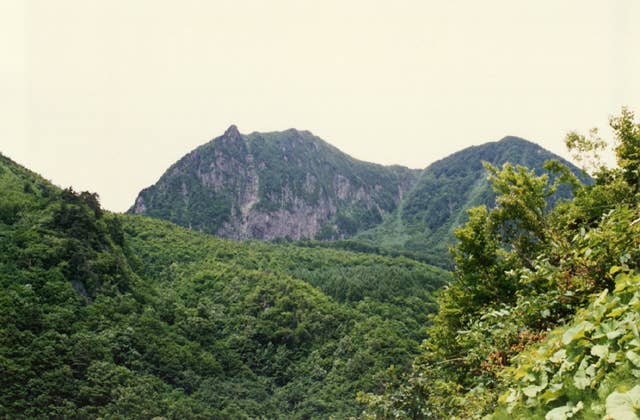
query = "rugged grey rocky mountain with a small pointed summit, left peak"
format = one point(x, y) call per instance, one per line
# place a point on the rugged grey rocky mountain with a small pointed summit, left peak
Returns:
point(287, 184)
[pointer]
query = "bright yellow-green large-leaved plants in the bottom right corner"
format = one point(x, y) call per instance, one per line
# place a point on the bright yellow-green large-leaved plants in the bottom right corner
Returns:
point(587, 365)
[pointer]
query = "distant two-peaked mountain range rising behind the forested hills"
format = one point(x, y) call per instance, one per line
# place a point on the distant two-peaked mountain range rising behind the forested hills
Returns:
point(292, 185)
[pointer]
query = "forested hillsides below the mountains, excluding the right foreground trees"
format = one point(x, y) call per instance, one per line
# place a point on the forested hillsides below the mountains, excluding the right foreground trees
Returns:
point(129, 317)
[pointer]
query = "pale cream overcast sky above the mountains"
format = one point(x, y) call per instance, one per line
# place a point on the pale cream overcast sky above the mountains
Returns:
point(105, 95)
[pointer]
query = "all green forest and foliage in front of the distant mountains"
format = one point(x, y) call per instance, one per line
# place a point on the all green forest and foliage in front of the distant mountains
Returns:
point(124, 316)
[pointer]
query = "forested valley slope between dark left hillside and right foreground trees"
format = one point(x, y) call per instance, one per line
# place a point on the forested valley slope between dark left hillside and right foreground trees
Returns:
point(308, 351)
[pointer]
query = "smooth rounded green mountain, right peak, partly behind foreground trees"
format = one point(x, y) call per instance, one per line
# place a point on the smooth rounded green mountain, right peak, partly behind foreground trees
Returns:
point(438, 201)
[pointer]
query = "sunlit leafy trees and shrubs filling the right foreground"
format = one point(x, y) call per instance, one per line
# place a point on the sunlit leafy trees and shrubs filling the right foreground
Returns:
point(542, 318)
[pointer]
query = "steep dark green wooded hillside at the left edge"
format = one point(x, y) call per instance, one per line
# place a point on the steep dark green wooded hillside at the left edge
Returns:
point(60, 260)
